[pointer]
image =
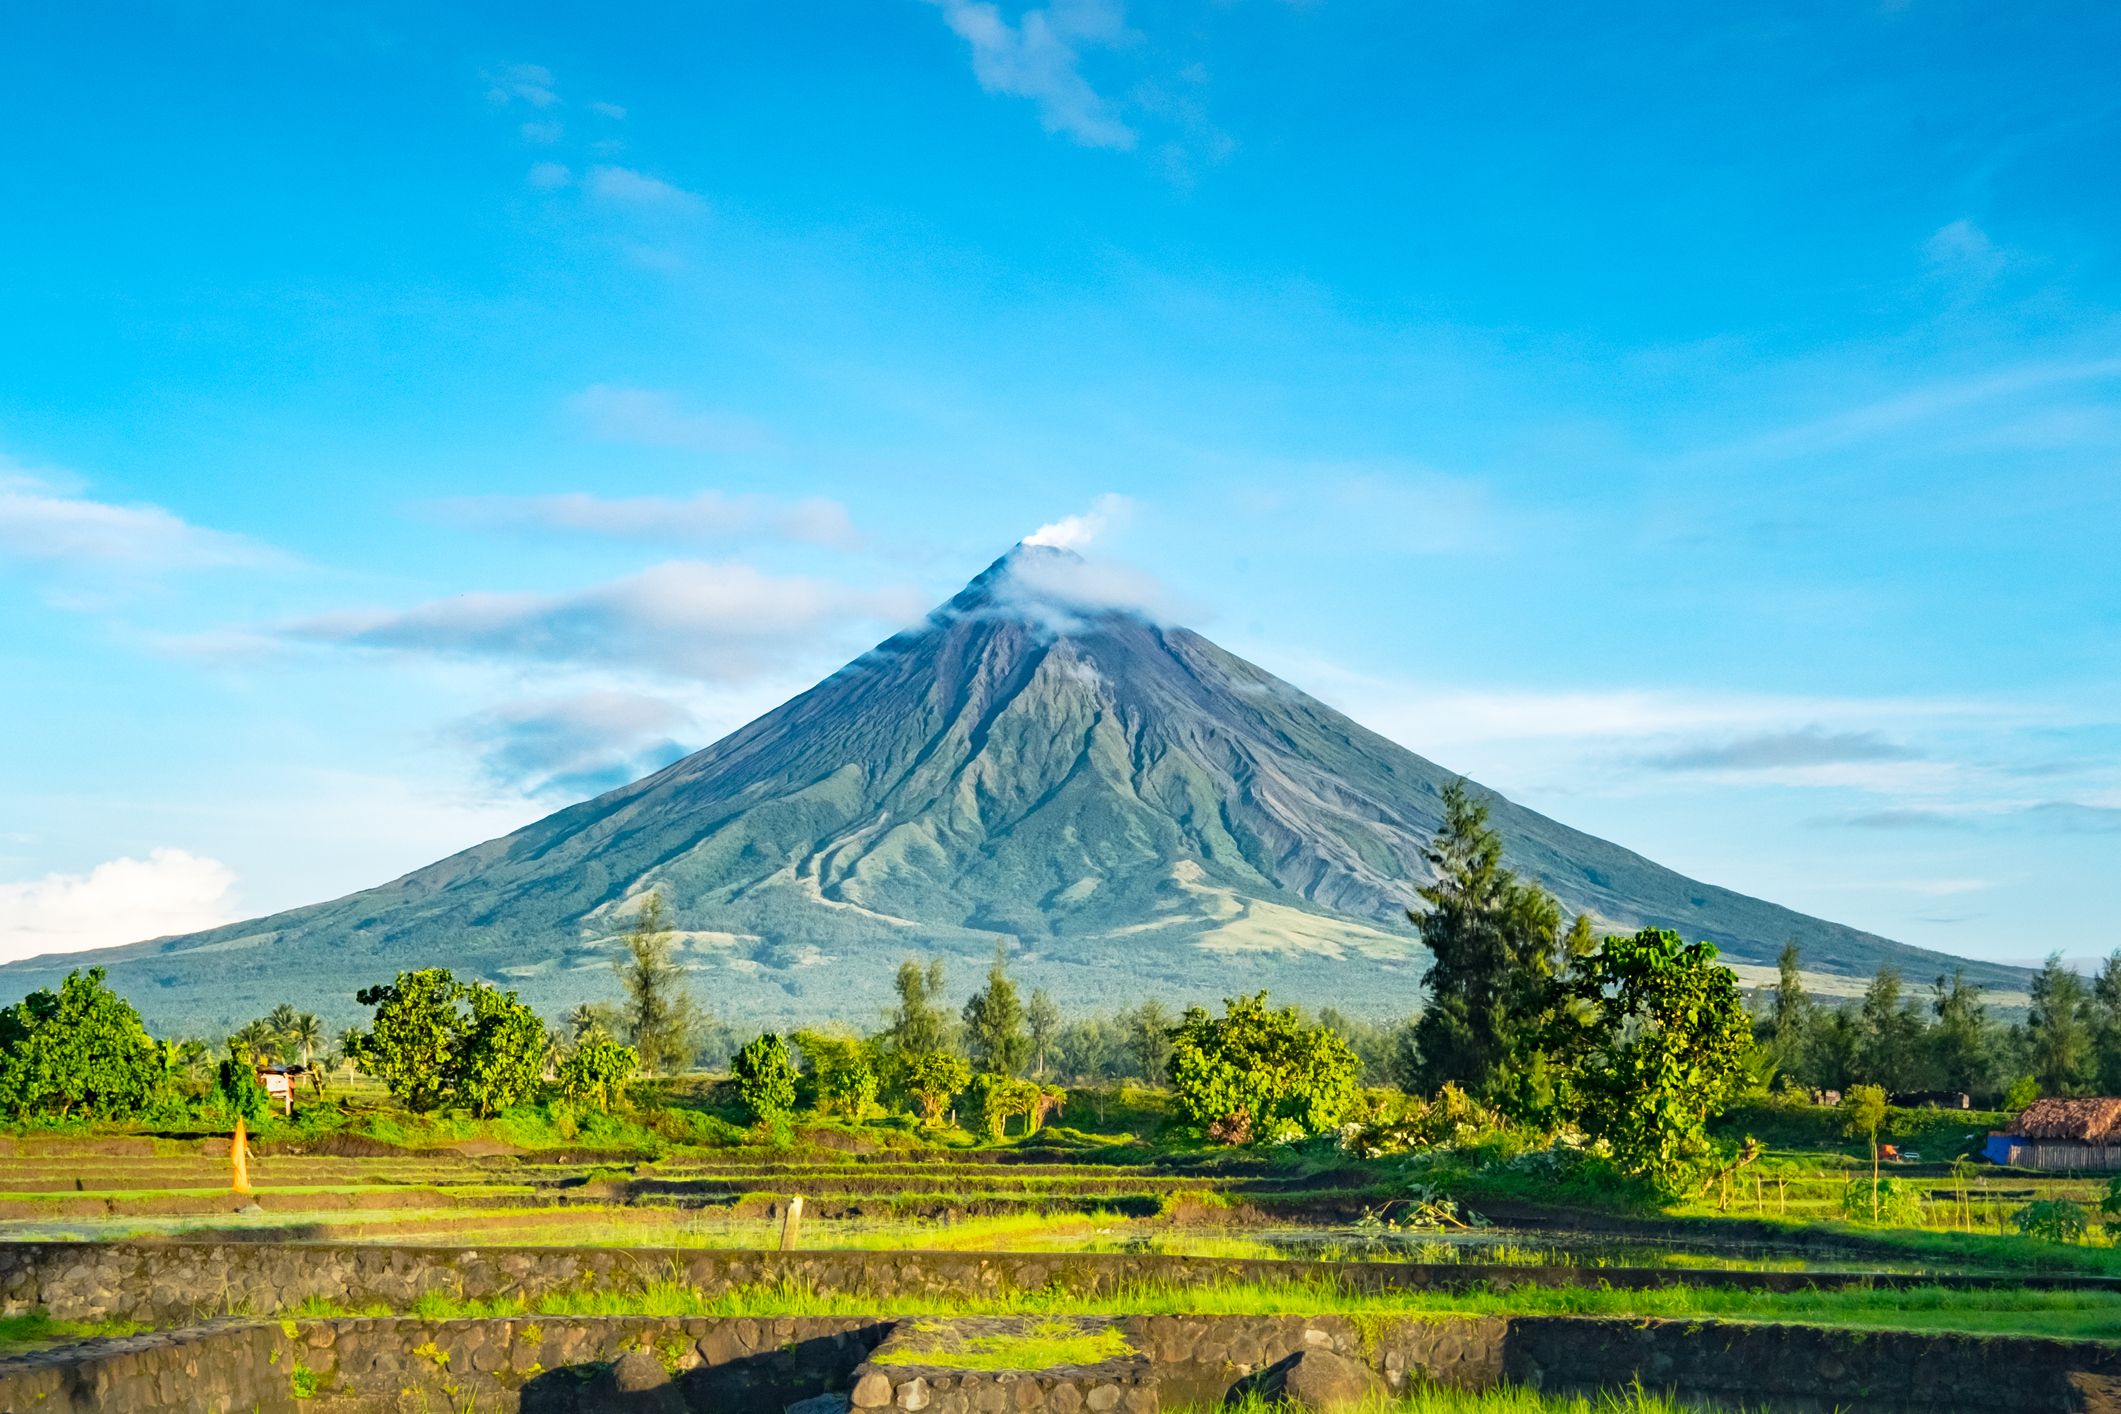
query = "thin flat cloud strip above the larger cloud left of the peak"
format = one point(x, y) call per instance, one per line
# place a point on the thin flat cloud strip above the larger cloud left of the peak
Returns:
point(709, 516)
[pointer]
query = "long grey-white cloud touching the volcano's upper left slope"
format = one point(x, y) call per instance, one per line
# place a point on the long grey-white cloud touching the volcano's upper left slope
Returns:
point(686, 618)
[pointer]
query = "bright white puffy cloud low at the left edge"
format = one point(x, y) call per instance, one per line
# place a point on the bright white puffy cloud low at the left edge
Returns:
point(118, 902)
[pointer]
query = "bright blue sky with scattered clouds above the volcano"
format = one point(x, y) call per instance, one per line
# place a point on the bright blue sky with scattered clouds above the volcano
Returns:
point(1698, 423)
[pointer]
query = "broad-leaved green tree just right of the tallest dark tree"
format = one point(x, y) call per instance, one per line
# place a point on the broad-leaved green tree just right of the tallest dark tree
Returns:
point(1662, 1053)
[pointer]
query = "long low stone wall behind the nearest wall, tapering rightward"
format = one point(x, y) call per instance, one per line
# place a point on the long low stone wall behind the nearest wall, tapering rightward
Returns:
point(179, 1284)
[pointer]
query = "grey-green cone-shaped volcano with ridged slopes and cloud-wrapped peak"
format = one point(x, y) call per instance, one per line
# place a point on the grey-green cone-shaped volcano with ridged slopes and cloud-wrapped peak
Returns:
point(1134, 809)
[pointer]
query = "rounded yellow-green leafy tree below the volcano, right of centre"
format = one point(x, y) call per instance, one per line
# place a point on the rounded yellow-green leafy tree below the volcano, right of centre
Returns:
point(1261, 1074)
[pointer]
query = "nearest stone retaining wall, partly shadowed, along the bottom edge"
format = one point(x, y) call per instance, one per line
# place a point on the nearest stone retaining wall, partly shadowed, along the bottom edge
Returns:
point(760, 1366)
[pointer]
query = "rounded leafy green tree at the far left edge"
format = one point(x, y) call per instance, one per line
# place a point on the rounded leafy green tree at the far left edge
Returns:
point(77, 1053)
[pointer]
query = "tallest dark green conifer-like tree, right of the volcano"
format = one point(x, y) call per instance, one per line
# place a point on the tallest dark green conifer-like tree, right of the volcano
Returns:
point(1494, 947)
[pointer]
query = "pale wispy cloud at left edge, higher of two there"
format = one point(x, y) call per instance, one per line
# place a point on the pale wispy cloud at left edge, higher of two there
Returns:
point(46, 518)
